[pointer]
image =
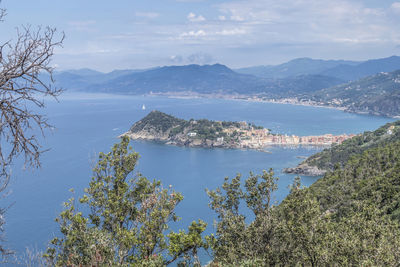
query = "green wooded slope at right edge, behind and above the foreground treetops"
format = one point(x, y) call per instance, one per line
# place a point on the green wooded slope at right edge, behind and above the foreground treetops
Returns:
point(373, 177)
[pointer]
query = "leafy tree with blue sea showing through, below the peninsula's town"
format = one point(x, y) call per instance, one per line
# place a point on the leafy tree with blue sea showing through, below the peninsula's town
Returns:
point(237, 241)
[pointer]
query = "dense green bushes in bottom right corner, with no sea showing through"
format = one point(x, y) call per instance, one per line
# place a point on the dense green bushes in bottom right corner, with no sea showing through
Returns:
point(312, 236)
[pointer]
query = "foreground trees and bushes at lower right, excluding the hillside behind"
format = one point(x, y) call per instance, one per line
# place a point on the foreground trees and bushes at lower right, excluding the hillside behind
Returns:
point(298, 232)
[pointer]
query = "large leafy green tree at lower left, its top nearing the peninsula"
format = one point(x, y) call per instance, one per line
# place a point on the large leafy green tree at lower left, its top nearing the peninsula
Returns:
point(126, 219)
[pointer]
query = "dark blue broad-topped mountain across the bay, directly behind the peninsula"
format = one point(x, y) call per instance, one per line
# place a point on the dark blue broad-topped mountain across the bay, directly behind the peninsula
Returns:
point(207, 79)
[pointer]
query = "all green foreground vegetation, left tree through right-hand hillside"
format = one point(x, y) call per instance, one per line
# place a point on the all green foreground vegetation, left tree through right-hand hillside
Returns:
point(349, 217)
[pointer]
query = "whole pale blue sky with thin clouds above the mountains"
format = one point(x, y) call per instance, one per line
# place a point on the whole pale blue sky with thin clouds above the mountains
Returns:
point(136, 34)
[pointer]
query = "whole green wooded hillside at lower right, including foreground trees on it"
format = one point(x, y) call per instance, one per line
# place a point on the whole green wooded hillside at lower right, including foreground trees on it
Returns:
point(347, 218)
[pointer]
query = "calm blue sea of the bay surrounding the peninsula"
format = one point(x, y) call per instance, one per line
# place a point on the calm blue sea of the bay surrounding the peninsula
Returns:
point(88, 124)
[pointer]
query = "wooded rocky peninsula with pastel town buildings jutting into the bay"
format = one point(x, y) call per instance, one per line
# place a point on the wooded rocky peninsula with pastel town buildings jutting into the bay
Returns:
point(161, 127)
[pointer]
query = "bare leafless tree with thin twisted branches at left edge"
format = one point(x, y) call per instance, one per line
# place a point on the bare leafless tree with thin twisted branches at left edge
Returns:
point(23, 63)
